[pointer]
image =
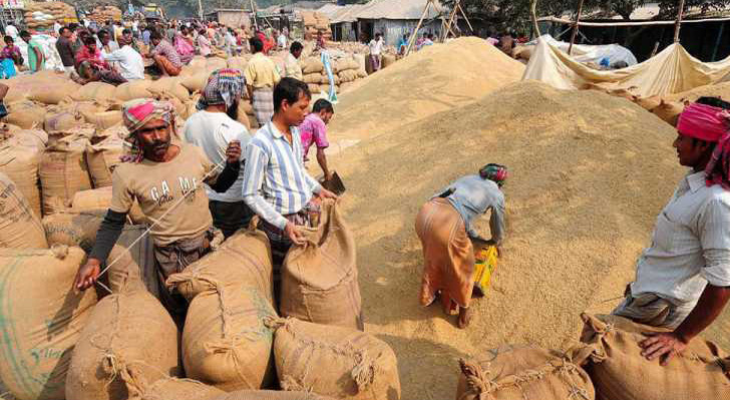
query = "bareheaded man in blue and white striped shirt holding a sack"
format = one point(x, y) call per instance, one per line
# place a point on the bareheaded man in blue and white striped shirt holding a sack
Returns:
point(275, 185)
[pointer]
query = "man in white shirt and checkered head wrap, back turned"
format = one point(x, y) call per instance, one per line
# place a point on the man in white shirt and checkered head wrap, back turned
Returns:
point(212, 129)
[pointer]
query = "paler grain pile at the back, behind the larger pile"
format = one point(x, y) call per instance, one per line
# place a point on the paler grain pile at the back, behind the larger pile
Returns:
point(430, 81)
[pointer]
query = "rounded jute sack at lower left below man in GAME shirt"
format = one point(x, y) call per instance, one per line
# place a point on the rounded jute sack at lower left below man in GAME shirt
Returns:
point(128, 337)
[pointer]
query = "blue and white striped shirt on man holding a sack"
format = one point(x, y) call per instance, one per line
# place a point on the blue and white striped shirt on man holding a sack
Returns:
point(275, 182)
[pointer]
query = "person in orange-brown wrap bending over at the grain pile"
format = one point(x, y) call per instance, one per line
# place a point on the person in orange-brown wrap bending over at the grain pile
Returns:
point(445, 226)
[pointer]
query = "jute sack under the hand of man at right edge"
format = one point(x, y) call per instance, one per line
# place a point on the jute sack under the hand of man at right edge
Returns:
point(619, 372)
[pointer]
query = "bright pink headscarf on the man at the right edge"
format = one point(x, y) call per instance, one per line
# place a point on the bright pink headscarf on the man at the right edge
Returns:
point(711, 124)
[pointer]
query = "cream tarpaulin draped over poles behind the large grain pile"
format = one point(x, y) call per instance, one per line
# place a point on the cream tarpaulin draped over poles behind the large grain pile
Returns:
point(673, 70)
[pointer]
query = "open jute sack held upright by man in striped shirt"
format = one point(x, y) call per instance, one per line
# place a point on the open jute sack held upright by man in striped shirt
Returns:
point(319, 280)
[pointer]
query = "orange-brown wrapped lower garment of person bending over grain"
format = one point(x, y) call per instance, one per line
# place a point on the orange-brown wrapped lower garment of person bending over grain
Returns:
point(448, 255)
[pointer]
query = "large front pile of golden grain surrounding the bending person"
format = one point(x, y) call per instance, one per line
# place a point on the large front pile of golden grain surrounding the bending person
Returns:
point(589, 174)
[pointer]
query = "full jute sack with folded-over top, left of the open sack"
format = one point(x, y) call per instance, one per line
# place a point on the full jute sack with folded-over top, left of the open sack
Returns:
point(225, 341)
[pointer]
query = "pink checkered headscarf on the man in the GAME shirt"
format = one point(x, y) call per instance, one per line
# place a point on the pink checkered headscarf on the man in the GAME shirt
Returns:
point(137, 113)
